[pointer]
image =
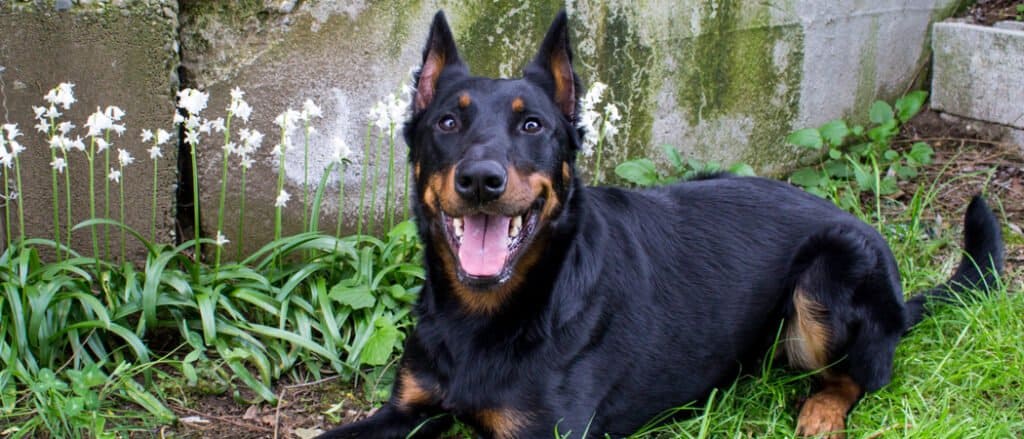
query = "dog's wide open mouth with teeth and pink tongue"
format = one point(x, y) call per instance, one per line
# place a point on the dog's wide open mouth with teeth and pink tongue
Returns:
point(487, 247)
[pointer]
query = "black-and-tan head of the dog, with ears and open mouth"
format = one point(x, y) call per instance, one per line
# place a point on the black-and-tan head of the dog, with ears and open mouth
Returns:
point(493, 158)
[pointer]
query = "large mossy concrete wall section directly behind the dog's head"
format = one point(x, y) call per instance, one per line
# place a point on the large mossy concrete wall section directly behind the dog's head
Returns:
point(721, 80)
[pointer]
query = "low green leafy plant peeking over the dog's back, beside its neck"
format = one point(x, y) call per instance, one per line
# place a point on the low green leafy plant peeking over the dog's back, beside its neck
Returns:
point(644, 172)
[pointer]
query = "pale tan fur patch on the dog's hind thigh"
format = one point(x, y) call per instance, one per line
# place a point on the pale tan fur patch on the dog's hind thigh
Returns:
point(807, 336)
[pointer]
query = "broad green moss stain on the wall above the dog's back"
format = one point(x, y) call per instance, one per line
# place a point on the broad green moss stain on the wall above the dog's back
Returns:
point(730, 71)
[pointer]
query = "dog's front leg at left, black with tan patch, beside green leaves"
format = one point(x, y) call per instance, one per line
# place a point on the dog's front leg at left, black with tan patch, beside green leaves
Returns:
point(413, 412)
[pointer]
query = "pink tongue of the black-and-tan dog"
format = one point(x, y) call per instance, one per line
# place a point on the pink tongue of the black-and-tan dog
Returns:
point(484, 245)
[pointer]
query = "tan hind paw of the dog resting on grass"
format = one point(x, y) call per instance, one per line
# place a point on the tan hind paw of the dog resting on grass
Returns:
point(824, 415)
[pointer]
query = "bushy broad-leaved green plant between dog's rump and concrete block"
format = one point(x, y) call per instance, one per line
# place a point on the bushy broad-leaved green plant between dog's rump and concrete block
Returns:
point(862, 159)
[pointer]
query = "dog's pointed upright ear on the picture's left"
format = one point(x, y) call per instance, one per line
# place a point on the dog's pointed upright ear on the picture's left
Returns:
point(439, 55)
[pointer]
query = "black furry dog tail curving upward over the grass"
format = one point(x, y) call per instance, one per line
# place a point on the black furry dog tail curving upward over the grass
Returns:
point(980, 268)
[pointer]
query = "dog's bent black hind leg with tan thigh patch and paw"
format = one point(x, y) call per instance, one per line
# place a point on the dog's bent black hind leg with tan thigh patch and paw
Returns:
point(844, 322)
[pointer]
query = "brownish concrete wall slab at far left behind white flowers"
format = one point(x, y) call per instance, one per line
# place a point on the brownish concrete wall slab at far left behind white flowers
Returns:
point(122, 56)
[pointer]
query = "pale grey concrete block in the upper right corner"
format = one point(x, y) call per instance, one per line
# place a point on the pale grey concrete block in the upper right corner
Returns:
point(978, 73)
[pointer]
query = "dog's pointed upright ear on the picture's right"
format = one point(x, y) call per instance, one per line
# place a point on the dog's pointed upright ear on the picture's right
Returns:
point(552, 68)
